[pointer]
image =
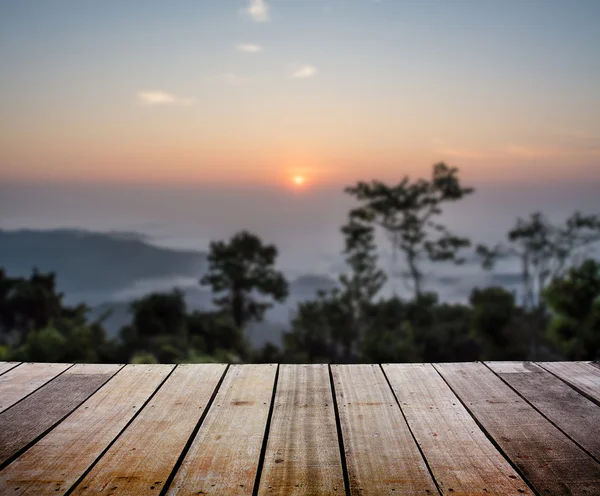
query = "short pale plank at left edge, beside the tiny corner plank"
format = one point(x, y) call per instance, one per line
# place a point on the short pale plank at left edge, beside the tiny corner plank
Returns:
point(25, 379)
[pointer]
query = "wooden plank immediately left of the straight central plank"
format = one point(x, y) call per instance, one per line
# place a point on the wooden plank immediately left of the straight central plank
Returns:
point(224, 456)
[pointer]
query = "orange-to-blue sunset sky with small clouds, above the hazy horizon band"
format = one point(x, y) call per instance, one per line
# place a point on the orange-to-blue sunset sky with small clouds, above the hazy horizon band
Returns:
point(297, 93)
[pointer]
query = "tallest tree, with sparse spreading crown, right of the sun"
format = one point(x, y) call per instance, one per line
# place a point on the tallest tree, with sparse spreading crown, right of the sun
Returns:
point(407, 213)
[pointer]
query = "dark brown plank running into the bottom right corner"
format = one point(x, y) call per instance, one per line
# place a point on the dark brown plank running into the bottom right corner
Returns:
point(550, 461)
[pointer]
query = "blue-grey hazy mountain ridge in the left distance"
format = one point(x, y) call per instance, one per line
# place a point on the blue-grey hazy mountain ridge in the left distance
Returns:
point(89, 263)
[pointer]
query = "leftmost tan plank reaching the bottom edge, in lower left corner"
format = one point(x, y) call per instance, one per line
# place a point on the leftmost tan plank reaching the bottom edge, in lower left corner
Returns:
point(60, 458)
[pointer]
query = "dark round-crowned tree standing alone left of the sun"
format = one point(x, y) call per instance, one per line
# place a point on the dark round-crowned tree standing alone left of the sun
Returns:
point(239, 271)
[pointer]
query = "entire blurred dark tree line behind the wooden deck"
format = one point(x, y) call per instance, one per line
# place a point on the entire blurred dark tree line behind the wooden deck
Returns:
point(555, 315)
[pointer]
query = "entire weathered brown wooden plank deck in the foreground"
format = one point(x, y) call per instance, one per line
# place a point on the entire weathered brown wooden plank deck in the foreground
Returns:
point(451, 429)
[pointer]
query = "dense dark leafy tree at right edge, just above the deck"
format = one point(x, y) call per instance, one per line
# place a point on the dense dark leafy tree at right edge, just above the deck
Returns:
point(575, 305)
